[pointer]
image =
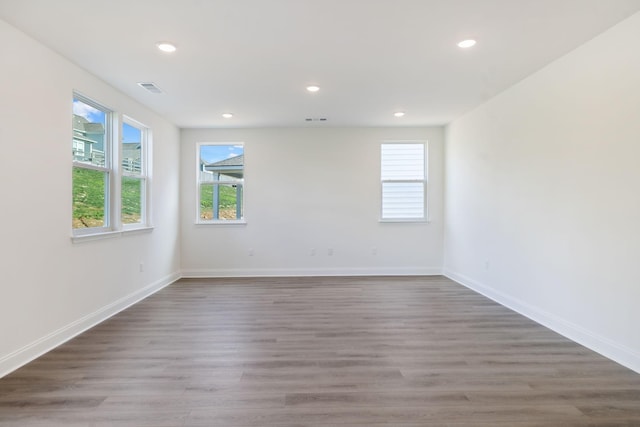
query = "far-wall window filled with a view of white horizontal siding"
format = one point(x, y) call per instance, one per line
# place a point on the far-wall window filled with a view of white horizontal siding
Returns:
point(403, 176)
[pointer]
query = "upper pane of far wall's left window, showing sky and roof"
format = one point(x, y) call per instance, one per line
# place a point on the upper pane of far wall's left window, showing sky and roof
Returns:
point(221, 163)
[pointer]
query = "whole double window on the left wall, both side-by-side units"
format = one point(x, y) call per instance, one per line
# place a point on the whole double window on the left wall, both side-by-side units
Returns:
point(110, 180)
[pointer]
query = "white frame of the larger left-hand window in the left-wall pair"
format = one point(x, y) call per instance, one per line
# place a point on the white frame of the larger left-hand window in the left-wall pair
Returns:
point(110, 217)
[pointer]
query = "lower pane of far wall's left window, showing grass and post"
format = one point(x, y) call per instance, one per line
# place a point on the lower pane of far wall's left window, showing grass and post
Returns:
point(220, 201)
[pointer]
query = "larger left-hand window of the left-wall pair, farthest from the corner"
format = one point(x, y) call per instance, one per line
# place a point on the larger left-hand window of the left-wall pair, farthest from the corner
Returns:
point(92, 173)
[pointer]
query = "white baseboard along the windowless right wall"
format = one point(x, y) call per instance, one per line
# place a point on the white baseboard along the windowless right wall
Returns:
point(617, 352)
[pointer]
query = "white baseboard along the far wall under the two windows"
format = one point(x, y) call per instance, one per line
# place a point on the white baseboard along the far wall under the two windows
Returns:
point(309, 272)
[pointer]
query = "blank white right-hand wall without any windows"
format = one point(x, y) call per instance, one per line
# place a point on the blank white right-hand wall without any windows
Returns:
point(543, 195)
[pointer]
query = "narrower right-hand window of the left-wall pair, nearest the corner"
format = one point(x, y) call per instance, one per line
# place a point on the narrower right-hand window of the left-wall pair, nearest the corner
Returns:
point(133, 187)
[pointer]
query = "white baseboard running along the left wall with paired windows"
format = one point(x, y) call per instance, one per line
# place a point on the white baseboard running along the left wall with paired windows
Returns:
point(26, 354)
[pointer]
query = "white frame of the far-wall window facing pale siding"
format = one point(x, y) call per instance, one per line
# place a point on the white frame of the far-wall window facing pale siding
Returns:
point(423, 181)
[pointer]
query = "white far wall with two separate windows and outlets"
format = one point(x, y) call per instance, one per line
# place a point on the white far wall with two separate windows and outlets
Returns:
point(311, 188)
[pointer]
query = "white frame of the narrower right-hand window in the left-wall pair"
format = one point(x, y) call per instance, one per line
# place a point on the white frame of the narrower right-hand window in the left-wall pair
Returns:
point(143, 175)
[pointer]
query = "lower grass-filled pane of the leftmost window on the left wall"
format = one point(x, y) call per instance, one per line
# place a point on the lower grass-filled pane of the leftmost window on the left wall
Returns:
point(89, 195)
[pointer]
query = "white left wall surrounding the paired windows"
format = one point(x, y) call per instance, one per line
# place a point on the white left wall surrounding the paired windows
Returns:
point(52, 288)
